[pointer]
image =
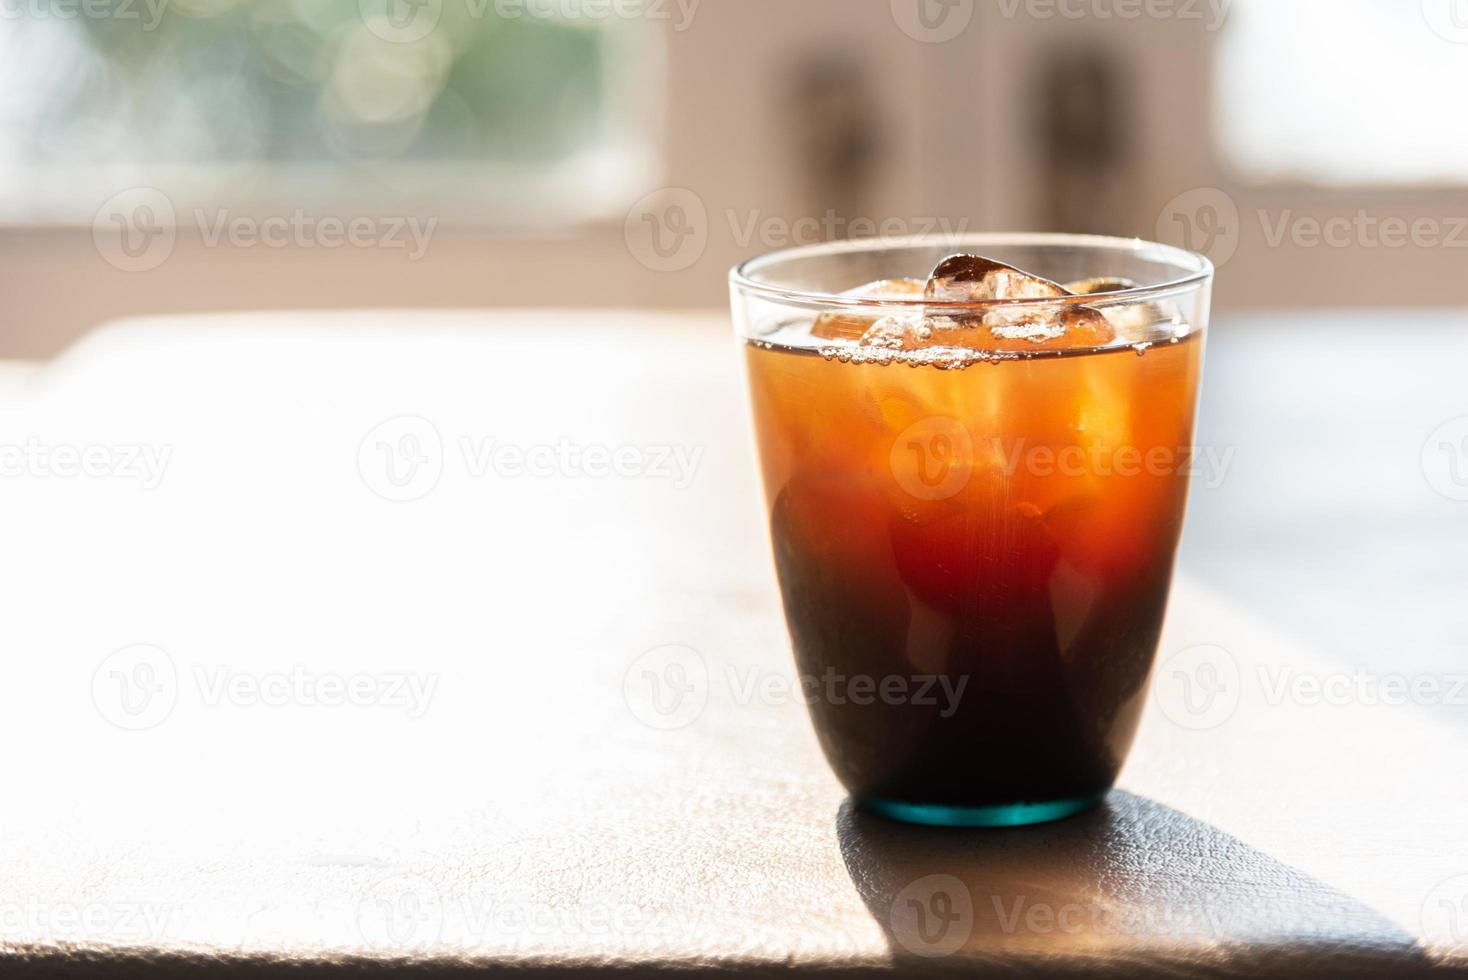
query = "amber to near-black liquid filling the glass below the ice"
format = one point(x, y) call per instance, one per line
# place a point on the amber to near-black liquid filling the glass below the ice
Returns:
point(1014, 524)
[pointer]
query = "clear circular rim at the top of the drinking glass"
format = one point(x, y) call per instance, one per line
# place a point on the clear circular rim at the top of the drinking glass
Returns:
point(744, 277)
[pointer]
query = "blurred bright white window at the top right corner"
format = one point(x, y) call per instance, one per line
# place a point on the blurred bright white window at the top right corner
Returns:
point(1345, 92)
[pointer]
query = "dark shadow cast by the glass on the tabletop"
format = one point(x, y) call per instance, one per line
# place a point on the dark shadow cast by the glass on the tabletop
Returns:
point(1133, 888)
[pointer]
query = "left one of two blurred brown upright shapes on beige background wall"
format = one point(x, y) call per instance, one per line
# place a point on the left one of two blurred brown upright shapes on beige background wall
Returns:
point(837, 139)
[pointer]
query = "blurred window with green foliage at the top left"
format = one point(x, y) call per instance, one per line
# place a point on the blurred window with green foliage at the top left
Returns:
point(476, 111)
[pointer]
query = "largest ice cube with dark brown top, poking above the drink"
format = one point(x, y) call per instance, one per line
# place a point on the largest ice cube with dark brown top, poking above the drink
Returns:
point(978, 279)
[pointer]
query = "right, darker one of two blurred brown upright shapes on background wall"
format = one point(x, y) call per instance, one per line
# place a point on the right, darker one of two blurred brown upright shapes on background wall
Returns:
point(1086, 142)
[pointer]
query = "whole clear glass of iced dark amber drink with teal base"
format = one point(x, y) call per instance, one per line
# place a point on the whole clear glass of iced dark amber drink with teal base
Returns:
point(975, 458)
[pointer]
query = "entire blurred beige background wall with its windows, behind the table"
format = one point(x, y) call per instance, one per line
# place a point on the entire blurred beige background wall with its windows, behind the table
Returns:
point(219, 155)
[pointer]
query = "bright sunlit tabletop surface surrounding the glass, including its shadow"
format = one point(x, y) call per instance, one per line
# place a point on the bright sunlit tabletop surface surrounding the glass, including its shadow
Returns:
point(227, 815)
